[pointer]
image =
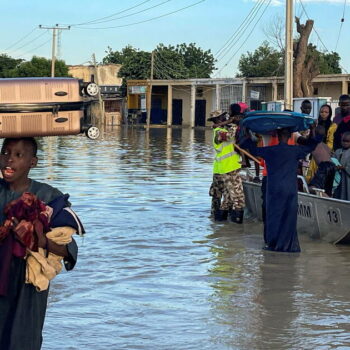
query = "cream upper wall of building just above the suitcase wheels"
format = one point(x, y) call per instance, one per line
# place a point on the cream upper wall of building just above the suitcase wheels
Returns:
point(107, 74)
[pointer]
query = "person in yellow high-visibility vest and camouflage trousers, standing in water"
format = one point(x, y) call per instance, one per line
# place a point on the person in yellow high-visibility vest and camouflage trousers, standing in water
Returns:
point(227, 183)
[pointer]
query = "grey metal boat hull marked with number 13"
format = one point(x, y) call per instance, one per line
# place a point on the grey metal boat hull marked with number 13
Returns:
point(319, 217)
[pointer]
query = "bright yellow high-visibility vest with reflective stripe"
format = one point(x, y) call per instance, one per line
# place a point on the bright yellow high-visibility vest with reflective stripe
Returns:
point(226, 159)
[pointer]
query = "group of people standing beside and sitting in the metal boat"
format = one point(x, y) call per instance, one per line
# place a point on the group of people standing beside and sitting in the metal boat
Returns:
point(326, 144)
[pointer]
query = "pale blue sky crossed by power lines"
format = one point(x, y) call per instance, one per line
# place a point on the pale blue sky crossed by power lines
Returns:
point(209, 24)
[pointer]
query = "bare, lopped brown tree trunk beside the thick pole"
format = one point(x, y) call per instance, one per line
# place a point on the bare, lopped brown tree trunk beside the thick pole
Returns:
point(300, 54)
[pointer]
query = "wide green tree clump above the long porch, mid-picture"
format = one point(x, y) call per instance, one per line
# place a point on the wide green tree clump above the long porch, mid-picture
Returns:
point(170, 62)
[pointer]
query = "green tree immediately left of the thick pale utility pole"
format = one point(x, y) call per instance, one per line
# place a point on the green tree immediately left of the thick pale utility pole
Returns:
point(265, 61)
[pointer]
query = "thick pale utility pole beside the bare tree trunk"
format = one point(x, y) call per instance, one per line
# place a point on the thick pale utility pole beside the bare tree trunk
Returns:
point(288, 69)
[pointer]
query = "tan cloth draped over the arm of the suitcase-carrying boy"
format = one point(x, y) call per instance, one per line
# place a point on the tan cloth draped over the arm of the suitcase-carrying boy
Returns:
point(40, 270)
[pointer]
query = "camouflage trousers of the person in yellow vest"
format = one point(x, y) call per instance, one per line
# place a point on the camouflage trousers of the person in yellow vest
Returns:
point(227, 191)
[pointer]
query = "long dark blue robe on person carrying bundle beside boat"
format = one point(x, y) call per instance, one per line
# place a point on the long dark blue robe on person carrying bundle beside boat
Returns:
point(281, 193)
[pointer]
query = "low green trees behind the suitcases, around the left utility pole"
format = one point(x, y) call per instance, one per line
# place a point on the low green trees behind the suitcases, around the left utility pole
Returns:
point(38, 67)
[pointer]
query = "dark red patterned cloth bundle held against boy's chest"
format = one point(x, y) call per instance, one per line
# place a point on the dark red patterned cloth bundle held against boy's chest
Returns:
point(27, 217)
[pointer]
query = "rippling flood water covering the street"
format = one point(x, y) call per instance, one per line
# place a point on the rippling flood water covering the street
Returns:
point(154, 271)
